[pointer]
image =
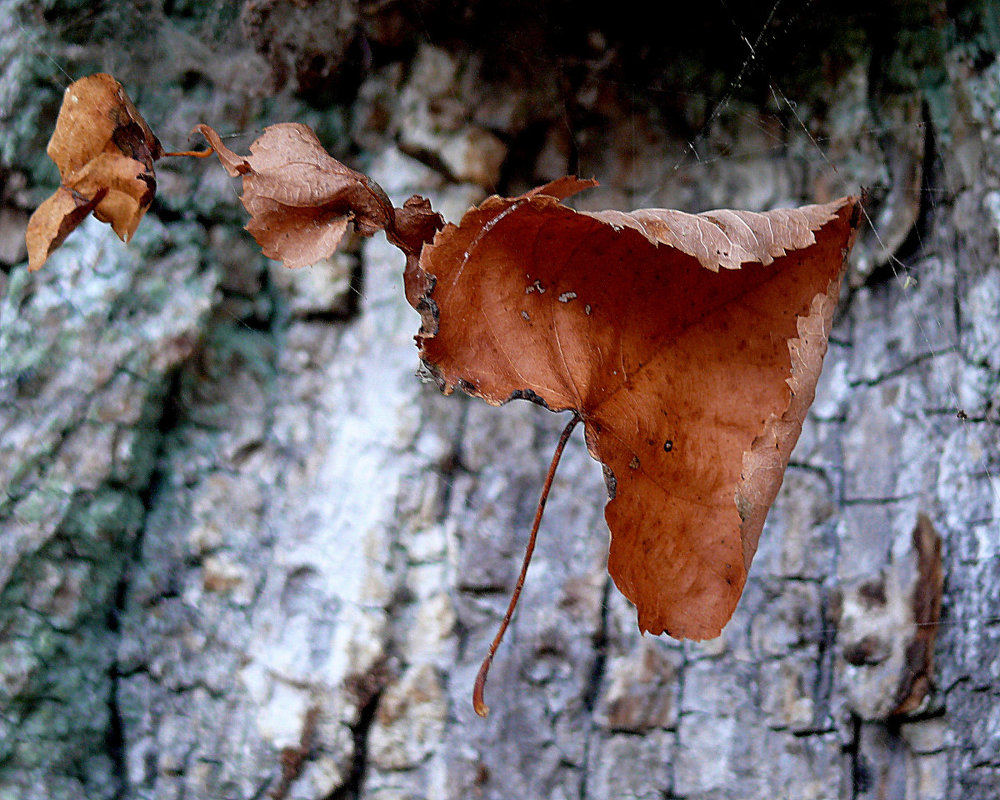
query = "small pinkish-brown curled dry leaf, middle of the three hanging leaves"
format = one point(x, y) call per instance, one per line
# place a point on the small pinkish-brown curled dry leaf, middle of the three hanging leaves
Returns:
point(300, 198)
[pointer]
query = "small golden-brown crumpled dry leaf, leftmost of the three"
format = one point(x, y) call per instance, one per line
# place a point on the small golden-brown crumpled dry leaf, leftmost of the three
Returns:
point(105, 154)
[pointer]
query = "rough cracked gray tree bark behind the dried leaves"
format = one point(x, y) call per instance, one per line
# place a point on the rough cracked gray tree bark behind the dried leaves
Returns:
point(246, 553)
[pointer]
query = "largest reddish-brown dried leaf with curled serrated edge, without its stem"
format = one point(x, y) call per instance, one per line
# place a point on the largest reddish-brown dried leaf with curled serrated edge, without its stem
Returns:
point(690, 345)
